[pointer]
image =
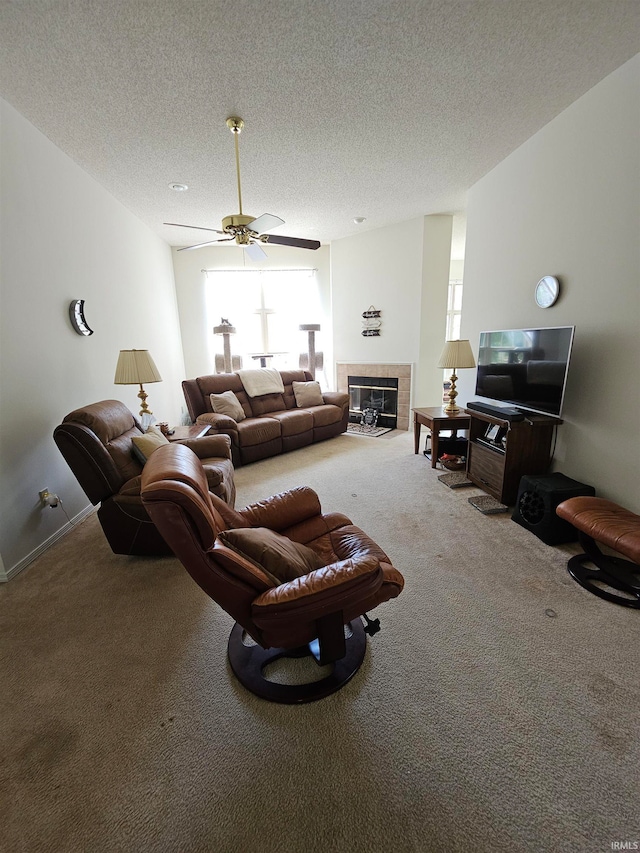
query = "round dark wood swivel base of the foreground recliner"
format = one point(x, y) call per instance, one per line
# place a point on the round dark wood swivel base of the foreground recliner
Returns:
point(248, 664)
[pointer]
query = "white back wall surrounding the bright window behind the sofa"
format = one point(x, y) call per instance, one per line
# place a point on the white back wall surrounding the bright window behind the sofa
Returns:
point(191, 293)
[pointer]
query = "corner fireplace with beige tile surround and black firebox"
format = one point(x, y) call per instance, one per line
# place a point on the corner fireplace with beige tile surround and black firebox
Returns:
point(400, 374)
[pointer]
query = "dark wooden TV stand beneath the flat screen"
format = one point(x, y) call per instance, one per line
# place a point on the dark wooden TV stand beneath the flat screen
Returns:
point(527, 450)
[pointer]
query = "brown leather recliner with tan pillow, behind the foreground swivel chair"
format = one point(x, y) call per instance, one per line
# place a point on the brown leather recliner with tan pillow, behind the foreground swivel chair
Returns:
point(96, 442)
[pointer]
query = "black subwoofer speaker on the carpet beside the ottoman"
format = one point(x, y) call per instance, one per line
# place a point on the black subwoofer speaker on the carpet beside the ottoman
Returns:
point(538, 497)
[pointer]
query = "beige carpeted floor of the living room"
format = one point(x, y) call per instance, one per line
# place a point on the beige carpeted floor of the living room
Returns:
point(497, 710)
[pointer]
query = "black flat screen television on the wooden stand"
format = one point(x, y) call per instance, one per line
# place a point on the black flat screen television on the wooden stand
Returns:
point(525, 368)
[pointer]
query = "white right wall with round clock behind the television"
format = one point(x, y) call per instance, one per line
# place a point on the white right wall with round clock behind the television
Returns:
point(567, 203)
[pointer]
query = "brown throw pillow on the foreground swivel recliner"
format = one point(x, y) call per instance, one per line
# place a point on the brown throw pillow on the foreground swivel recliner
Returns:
point(278, 556)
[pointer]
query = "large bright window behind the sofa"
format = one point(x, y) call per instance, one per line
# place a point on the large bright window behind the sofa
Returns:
point(266, 307)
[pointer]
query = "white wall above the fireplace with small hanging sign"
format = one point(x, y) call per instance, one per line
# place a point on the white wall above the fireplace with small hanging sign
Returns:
point(403, 270)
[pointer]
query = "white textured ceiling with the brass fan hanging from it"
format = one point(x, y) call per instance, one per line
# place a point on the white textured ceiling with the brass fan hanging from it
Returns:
point(387, 109)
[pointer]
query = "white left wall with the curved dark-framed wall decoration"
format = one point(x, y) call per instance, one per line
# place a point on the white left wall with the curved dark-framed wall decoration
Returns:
point(64, 237)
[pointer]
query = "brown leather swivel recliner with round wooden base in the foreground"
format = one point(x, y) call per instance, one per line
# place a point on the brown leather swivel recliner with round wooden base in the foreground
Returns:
point(229, 554)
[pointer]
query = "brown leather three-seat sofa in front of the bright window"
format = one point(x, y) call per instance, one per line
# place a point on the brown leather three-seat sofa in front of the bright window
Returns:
point(273, 423)
